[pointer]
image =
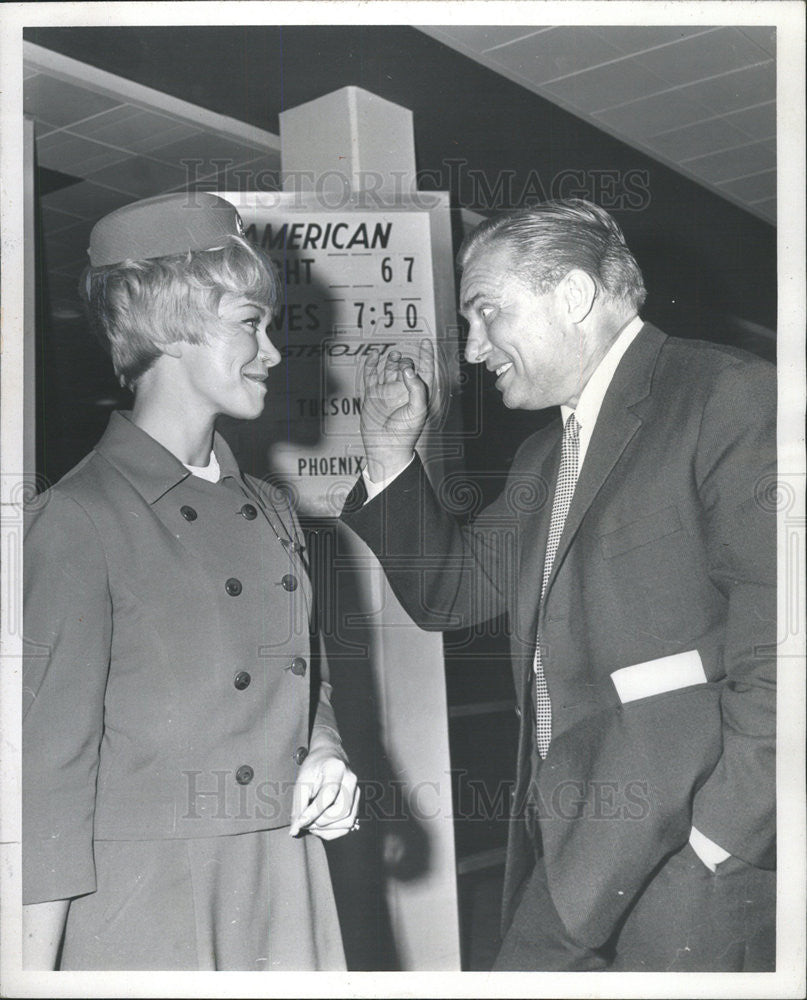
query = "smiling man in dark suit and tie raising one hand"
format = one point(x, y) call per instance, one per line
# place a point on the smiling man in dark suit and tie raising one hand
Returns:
point(634, 553)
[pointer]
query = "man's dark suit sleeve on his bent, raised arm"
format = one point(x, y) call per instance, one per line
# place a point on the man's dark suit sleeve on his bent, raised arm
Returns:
point(445, 576)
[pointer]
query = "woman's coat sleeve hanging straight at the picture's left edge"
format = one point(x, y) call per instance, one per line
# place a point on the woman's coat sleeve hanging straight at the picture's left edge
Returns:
point(68, 629)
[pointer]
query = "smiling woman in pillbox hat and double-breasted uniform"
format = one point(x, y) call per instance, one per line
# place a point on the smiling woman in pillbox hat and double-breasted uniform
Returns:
point(175, 730)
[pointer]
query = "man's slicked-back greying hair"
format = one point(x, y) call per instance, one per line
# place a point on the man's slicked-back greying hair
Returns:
point(548, 240)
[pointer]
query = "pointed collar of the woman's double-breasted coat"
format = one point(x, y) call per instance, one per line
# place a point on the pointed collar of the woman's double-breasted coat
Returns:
point(148, 466)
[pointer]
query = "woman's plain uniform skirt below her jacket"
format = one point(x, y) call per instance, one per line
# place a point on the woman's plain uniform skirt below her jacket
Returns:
point(250, 901)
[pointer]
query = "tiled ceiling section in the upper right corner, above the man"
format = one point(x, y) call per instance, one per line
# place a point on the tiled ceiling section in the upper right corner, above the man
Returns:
point(682, 94)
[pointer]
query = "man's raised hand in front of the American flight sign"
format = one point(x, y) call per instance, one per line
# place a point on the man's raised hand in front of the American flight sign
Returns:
point(395, 406)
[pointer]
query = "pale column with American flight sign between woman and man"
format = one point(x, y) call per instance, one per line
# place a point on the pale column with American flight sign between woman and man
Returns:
point(367, 265)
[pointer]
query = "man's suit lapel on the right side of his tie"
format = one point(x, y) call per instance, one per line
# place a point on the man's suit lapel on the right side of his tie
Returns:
point(616, 425)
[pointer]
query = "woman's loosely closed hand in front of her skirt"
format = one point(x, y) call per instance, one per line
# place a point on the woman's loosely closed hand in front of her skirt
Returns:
point(326, 796)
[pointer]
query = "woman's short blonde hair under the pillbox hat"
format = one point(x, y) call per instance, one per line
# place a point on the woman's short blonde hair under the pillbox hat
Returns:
point(136, 307)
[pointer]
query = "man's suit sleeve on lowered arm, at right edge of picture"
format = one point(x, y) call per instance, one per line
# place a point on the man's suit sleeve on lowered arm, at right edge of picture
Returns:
point(736, 470)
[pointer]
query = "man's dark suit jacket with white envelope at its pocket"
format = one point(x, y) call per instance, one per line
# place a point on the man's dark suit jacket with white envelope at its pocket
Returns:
point(669, 547)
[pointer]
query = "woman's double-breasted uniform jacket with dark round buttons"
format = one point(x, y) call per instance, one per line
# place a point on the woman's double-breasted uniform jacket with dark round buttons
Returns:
point(172, 677)
